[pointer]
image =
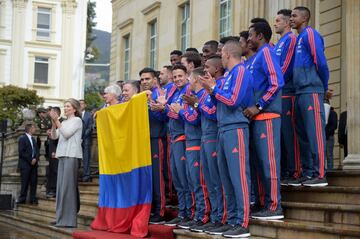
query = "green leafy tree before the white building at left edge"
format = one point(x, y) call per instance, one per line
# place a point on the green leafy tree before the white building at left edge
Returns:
point(14, 99)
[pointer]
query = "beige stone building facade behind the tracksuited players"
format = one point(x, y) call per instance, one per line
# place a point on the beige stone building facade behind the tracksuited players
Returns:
point(331, 17)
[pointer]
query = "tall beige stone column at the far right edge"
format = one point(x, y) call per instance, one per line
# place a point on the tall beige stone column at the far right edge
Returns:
point(352, 71)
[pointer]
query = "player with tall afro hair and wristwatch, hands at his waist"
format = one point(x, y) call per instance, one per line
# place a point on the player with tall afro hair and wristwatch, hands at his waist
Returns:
point(266, 121)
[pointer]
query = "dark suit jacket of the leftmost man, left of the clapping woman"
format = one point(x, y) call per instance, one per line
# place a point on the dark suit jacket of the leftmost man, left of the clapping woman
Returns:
point(26, 151)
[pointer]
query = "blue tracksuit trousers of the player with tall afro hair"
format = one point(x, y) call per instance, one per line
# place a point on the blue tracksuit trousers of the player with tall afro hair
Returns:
point(266, 143)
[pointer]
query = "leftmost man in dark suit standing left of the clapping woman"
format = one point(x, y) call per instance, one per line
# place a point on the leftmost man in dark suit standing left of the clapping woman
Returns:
point(28, 164)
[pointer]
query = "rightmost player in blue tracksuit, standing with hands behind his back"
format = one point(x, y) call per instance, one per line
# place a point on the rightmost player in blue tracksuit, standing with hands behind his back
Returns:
point(310, 76)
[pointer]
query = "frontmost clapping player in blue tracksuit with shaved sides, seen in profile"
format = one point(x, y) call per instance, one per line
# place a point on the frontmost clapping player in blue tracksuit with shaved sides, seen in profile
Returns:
point(233, 138)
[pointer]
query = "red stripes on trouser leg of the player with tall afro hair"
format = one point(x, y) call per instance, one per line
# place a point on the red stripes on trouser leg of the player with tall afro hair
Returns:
point(272, 163)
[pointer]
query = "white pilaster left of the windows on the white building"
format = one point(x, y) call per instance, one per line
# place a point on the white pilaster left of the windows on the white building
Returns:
point(18, 39)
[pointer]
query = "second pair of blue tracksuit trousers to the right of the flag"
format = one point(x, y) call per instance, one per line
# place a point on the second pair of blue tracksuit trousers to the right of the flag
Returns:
point(179, 173)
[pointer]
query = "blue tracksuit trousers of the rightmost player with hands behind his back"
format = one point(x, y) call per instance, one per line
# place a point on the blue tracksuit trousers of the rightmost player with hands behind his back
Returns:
point(310, 126)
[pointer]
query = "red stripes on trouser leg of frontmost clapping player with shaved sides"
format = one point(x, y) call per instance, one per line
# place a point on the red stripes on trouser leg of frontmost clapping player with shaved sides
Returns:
point(243, 181)
